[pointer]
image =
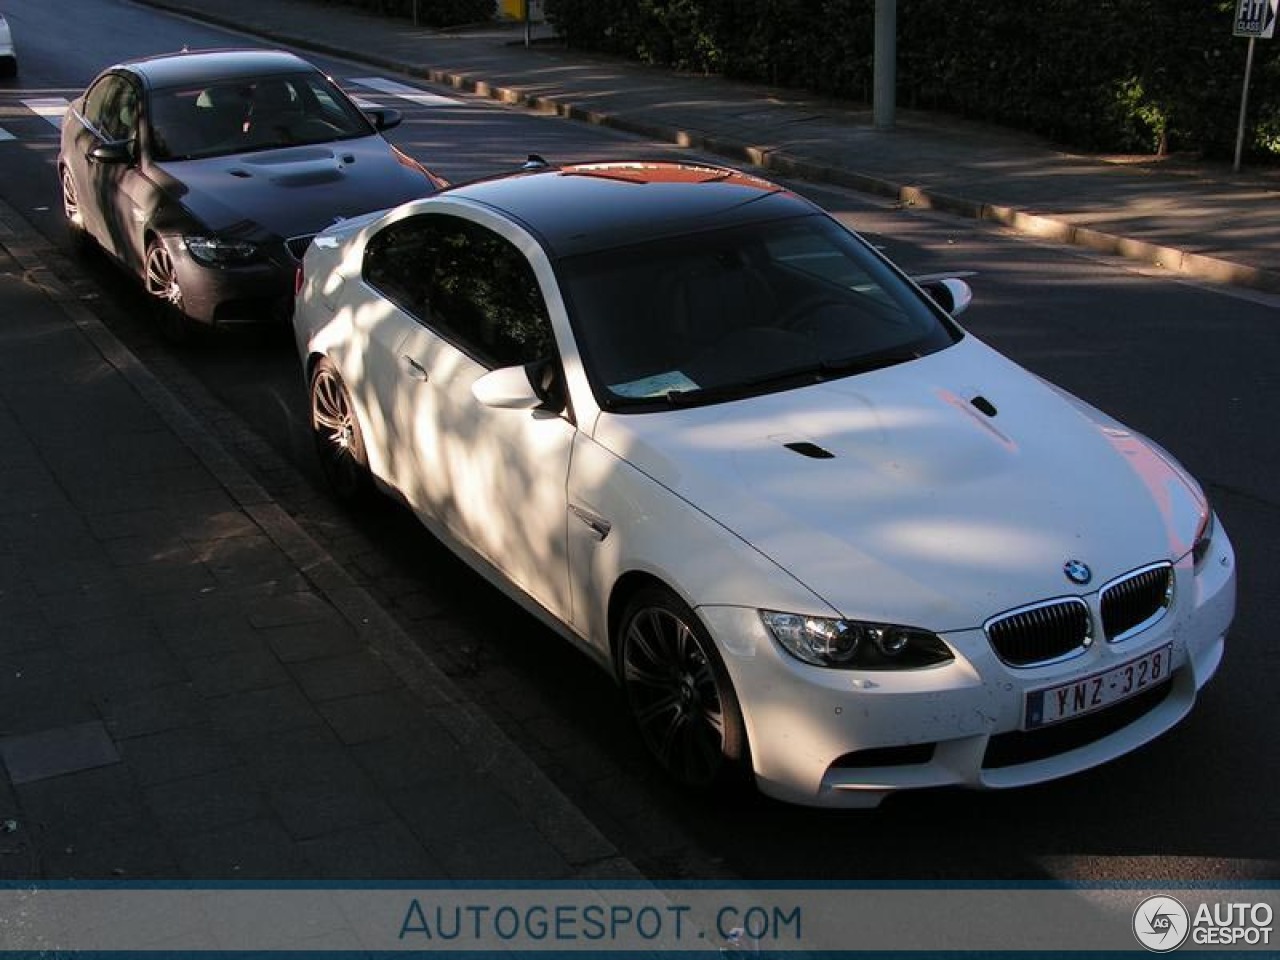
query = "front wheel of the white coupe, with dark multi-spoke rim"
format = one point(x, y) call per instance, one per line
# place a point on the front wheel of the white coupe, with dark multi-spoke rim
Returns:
point(680, 694)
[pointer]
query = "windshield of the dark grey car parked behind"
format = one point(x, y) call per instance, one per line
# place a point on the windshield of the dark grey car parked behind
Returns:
point(248, 115)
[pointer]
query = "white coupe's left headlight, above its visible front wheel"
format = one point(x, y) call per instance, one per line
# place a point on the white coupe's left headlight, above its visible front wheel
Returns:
point(851, 644)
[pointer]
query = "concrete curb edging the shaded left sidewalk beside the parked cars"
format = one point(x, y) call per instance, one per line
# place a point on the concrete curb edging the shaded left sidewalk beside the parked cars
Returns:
point(522, 783)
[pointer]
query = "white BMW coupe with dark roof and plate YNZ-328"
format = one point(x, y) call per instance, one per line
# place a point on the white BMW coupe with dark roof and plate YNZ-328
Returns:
point(815, 529)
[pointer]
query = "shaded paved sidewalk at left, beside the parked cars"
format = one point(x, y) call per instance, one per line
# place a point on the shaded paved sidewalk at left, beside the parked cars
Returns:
point(190, 688)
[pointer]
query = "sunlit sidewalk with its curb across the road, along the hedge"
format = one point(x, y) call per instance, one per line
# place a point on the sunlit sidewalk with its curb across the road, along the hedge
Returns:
point(1195, 220)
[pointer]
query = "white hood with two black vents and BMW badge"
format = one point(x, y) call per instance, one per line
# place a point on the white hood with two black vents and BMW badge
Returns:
point(930, 513)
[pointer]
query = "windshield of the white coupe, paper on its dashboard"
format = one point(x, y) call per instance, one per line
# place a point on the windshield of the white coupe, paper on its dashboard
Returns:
point(721, 316)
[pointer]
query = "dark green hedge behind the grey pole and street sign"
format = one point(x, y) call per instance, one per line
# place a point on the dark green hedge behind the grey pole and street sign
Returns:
point(1142, 76)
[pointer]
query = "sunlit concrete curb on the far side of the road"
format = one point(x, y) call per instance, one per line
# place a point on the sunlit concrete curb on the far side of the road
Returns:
point(1041, 226)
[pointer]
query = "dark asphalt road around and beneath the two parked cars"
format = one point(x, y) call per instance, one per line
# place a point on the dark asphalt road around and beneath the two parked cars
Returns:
point(1192, 367)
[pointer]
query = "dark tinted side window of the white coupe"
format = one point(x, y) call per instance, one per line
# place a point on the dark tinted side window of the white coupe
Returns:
point(467, 284)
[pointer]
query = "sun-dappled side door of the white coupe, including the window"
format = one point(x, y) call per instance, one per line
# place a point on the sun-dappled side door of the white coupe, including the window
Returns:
point(493, 478)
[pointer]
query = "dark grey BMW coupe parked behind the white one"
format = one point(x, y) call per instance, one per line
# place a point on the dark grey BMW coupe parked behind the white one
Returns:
point(207, 173)
